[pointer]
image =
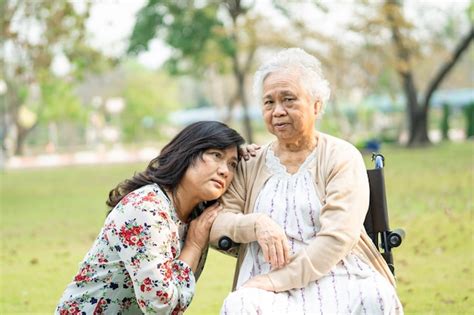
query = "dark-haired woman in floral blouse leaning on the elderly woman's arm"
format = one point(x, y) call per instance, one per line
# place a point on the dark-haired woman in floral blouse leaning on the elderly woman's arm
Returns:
point(147, 253)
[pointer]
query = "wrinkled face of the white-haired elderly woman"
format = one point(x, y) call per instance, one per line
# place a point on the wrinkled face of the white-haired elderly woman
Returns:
point(288, 110)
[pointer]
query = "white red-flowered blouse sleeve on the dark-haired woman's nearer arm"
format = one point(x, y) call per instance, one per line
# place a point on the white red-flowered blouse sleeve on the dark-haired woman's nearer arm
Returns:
point(146, 240)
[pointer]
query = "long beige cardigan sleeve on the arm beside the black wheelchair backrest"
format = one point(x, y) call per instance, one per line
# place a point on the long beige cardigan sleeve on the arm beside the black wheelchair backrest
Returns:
point(342, 215)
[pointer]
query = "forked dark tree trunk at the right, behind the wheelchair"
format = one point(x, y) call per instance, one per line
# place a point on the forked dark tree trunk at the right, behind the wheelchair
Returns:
point(418, 104)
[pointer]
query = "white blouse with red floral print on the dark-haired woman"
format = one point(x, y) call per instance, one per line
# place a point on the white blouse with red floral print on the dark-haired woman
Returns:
point(133, 263)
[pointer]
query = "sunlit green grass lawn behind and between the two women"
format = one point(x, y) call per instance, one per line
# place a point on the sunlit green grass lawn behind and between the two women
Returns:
point(50, 217)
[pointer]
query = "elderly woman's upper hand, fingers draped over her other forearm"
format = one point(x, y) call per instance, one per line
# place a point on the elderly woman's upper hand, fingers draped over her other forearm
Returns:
point(272, 239)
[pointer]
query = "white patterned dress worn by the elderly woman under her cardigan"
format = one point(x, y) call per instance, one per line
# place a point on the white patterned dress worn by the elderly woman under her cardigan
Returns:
point(351, 287)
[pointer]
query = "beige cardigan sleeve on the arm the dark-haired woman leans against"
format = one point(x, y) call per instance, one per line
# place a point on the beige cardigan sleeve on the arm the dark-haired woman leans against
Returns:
point(231, 221)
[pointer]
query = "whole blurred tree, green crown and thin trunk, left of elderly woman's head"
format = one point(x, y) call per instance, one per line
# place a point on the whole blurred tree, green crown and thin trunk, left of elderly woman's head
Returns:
point(202, 34)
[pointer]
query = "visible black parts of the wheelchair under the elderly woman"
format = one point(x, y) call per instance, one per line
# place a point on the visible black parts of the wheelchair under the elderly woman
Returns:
point(376, 222)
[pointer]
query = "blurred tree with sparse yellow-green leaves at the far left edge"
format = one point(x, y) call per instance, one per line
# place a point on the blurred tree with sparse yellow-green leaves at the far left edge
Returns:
point(34, 35)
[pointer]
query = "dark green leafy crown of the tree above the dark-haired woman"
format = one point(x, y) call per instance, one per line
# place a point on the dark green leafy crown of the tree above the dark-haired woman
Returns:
point(194, 31)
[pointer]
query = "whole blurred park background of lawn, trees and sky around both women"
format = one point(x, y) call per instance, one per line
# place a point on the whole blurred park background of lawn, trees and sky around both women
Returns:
point(91, 90)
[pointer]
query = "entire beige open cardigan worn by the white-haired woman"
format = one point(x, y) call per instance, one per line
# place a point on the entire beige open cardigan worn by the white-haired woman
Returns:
point(342, 186)
